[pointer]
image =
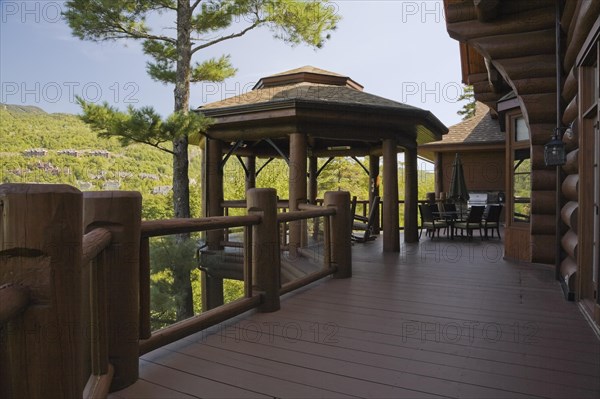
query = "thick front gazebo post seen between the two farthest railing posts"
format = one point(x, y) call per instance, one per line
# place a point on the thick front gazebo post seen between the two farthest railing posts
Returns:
point(297, 186)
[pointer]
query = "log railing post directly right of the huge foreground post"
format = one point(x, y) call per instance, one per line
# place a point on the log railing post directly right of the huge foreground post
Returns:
point(120, 212)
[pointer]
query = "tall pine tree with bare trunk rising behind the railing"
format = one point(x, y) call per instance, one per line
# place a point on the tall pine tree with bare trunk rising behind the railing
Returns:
point(198, 24)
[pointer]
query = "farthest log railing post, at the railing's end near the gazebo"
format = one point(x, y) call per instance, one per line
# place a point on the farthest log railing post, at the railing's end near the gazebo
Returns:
point(341, 232)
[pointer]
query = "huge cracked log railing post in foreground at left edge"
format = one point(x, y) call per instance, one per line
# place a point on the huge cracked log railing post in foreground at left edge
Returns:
point(41, 350)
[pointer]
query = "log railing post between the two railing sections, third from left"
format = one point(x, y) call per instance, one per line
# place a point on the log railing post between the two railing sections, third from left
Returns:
point(265, 246)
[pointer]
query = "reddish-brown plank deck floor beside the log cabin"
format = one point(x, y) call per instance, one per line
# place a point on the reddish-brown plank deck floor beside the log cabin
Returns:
point(440, 319)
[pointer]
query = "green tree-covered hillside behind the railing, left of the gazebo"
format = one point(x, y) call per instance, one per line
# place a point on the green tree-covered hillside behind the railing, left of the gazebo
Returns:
point(36, 147)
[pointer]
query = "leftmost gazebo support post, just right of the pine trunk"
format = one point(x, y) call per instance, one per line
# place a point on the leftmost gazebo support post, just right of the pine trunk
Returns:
point(212, 287)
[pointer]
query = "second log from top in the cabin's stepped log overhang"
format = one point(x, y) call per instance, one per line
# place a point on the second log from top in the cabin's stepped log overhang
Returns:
point(532, 20)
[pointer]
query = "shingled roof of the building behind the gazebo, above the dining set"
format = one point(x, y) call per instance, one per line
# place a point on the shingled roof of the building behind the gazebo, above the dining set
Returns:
point(477, 130)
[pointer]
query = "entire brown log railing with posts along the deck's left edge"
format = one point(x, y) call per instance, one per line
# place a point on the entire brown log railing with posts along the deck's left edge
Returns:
point(75, 278)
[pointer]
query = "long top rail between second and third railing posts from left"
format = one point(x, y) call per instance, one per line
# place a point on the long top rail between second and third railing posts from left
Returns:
point(153, 228)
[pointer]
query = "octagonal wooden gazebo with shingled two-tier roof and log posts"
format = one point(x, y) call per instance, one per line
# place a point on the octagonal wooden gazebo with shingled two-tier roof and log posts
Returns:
point(307, 113)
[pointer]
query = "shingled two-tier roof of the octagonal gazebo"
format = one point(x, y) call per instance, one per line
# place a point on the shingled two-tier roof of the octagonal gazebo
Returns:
point(327, 106)
